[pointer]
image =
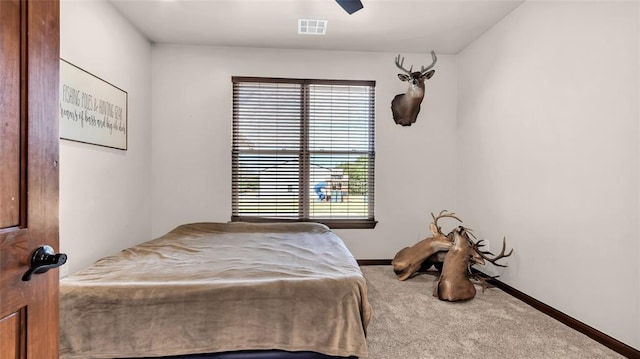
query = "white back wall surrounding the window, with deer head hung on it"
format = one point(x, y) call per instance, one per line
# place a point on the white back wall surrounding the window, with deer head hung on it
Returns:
point(192, 95)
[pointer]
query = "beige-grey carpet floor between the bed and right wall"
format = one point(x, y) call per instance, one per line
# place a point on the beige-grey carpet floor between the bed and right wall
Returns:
point(408, 322)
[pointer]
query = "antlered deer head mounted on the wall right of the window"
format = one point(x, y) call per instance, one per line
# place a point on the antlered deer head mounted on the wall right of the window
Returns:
point(405, 107)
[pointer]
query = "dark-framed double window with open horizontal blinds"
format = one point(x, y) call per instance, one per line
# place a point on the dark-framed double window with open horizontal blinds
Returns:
point(303, 150)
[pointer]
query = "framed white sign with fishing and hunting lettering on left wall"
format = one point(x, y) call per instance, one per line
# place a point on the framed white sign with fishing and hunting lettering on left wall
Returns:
point(91, 110)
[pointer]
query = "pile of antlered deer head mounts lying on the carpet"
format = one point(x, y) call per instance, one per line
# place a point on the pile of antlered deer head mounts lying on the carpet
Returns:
point(453, 254)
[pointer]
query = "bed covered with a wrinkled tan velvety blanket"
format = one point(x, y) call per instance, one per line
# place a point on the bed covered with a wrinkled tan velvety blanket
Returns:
point(220, 290)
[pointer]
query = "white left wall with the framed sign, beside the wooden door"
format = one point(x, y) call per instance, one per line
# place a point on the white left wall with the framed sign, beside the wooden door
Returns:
point(105, 196)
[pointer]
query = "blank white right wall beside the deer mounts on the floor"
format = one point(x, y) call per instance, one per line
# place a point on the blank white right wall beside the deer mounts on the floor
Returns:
point(548, 133)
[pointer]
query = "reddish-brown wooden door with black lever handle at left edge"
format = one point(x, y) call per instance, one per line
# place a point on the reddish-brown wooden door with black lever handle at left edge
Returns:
point(29, 65)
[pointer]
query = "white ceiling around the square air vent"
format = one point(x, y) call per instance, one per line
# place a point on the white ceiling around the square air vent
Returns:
point(446, 26)
